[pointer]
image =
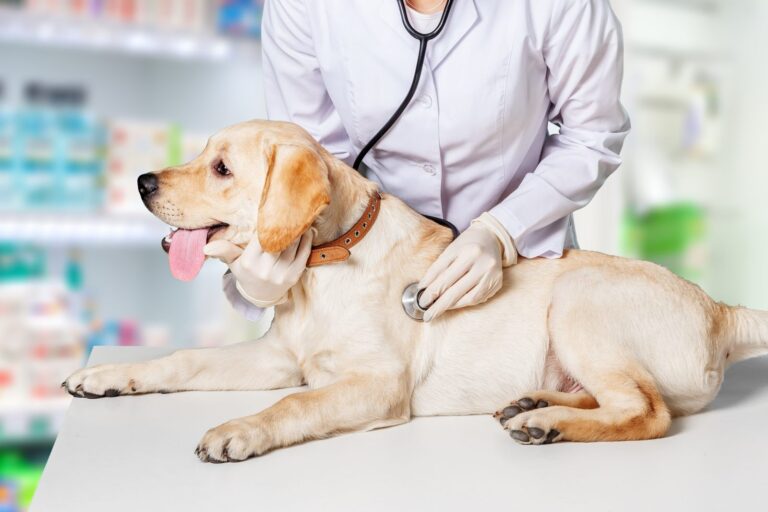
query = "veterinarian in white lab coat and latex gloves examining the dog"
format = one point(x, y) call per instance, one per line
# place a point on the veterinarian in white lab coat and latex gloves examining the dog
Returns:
point(473, 147)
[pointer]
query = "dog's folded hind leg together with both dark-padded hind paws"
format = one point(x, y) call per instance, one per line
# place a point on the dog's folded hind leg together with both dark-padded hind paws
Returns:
point(620, 398)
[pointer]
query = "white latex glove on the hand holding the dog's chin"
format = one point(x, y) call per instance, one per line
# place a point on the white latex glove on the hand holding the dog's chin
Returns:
point(263, 278)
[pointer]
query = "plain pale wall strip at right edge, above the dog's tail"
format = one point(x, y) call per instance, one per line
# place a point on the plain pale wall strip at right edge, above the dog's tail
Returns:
point(741, 238)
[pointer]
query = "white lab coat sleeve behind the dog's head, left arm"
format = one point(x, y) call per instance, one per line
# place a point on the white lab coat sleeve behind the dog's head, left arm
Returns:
point(293, 82)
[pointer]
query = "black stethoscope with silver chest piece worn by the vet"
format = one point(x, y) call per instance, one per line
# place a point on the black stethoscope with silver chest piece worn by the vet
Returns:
point(412, 293)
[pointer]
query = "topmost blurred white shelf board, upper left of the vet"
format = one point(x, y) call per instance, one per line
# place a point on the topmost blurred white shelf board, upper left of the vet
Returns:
point(20, 27)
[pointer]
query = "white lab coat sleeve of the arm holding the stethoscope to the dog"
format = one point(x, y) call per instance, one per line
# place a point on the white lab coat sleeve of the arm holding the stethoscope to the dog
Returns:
point(583, 51)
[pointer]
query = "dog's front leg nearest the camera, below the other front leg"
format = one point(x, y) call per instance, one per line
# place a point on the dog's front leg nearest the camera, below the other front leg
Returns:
point(355, 403)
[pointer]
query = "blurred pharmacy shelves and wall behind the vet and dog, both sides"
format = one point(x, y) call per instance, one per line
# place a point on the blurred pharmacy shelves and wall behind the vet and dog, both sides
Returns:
point(94, 92)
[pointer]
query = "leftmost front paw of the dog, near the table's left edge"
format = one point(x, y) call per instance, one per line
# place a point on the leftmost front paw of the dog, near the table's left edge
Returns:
point(101, 381)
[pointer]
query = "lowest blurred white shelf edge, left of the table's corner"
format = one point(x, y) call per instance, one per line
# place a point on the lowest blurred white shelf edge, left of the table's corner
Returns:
point(31, 422)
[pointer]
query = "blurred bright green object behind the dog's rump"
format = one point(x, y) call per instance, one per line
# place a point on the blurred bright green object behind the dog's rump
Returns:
point(670, 235)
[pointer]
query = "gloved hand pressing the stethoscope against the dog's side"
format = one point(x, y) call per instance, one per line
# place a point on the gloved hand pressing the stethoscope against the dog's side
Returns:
point(469, 271)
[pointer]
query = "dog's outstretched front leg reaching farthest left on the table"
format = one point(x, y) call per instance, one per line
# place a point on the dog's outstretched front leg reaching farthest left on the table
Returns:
point(253, 365)
